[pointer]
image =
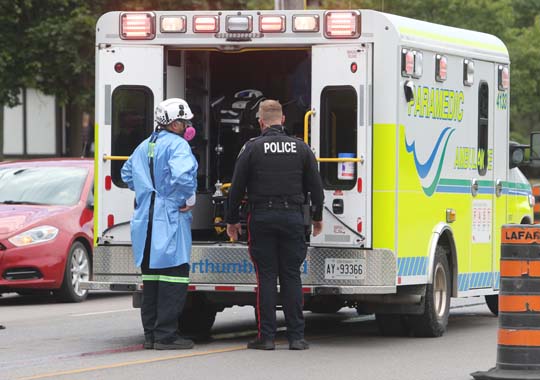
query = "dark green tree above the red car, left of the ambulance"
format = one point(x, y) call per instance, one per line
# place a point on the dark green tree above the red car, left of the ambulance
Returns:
point(48, 45)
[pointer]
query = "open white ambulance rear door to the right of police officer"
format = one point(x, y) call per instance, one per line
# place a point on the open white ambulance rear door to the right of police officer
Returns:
point(341, 130)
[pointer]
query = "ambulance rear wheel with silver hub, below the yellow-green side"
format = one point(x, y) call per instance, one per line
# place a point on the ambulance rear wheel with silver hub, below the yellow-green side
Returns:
point(433, 322)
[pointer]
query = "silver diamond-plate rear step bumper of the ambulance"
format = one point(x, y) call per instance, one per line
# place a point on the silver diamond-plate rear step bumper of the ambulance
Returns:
point(229, 266)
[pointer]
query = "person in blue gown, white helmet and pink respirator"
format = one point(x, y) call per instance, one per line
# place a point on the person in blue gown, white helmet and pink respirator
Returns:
point(163, 173)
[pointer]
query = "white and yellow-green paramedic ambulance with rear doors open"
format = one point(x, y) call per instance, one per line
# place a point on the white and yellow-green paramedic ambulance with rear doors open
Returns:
point(409, 121)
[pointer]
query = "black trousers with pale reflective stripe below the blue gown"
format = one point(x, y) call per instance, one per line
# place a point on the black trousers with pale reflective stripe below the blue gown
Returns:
point(164, 296)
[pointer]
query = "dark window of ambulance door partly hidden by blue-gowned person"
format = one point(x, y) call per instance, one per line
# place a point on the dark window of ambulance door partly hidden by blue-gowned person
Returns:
point(132, 110)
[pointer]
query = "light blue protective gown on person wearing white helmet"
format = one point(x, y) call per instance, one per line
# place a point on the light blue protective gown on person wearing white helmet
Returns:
point(175, 172)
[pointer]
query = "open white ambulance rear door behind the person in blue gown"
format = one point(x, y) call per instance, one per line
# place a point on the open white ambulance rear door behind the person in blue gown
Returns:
point(129, 84)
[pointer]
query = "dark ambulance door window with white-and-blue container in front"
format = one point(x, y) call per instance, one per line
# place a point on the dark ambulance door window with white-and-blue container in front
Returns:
point(339, 136)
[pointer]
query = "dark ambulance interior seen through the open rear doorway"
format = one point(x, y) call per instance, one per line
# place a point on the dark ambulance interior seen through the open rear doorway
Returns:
point(224, 91)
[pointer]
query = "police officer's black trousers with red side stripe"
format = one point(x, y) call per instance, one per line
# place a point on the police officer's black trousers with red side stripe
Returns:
point(278, 249)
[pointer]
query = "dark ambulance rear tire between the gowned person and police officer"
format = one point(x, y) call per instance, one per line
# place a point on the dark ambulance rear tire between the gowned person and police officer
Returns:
point(197, 319)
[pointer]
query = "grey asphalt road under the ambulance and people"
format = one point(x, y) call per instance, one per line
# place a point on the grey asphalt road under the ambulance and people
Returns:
point(102, 339)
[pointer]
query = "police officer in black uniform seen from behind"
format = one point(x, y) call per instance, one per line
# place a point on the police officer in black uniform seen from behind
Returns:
point(277, 171)
